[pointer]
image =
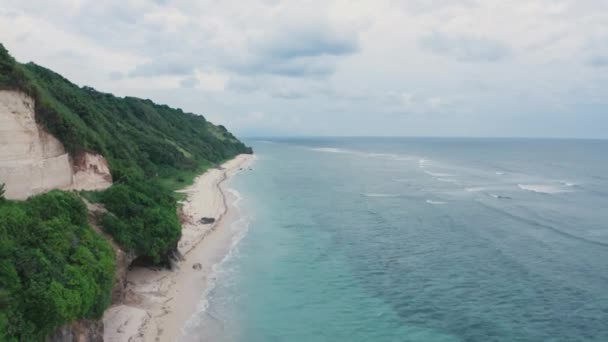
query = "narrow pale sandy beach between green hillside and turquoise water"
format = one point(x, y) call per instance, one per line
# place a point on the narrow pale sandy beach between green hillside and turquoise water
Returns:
point(159, 302)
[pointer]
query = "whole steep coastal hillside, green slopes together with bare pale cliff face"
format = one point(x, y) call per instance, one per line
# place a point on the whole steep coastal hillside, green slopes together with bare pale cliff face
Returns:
point(124, 156)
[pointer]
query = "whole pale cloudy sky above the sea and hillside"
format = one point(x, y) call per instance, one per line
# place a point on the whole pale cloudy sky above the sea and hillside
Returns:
point(489, 68)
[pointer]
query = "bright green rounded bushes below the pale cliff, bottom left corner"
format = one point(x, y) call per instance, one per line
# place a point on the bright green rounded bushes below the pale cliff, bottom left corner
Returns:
point(53, 267)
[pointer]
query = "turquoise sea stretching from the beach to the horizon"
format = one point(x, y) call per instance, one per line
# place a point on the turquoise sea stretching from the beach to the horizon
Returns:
point(416, 240)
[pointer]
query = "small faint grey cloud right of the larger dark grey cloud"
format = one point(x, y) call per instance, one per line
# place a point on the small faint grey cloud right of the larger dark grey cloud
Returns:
point(465, 48)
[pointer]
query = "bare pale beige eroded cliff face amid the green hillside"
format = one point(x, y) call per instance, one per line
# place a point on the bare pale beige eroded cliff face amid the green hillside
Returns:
point(32, 161)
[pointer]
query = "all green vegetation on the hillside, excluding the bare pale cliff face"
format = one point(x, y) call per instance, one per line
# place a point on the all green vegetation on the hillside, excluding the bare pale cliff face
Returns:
point(53, 267)
